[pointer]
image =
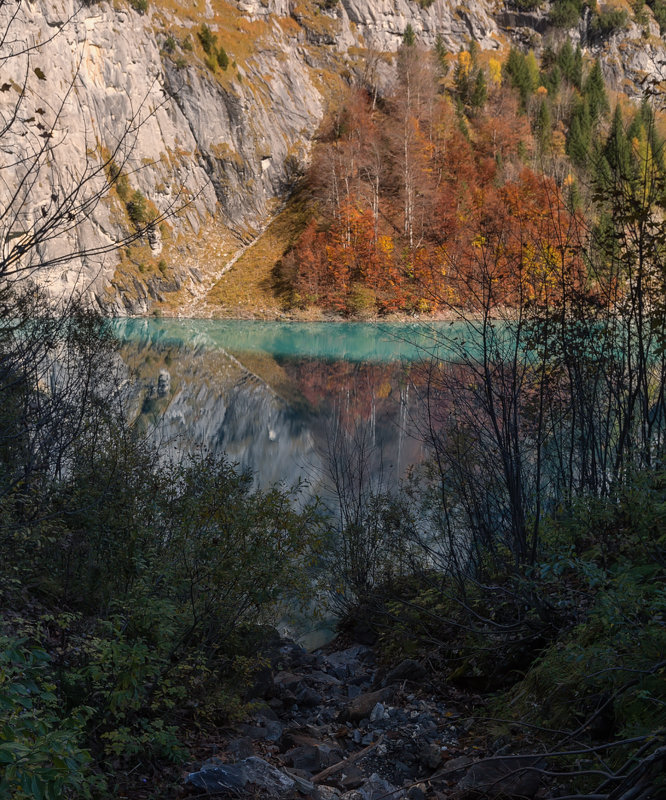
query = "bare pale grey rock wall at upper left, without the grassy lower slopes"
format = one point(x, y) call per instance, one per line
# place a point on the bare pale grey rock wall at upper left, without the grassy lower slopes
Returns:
point(99, 82)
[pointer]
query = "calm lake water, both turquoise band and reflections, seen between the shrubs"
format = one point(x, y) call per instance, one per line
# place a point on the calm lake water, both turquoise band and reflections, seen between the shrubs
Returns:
point(281, 399)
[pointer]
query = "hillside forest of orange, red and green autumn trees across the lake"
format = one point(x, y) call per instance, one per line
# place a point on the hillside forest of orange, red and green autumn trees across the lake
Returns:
point(474, 183)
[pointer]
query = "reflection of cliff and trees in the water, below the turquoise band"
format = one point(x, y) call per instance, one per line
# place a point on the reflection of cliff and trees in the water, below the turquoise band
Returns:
point(209, 400)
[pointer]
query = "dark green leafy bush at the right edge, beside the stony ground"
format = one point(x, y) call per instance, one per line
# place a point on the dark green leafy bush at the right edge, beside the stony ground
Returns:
point(613, 553)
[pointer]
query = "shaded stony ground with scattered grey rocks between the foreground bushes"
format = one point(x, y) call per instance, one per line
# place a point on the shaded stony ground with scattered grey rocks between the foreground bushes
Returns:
point(334, 725)
